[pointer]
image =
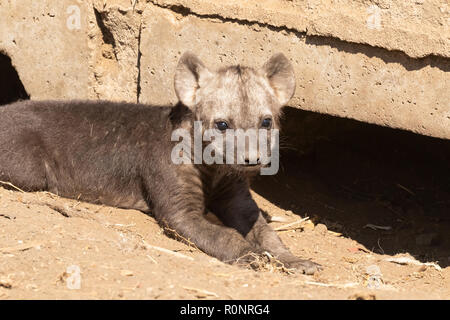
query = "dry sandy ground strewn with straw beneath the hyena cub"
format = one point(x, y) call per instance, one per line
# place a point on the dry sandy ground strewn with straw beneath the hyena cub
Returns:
point(123, 254)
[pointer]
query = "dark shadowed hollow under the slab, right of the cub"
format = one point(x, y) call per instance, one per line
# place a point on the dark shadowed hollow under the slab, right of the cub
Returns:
point(347, 175)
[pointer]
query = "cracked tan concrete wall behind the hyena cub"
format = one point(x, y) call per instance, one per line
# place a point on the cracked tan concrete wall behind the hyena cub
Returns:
point(379, 61)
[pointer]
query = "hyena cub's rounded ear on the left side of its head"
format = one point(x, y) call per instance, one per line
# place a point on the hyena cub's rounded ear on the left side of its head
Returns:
point(190, 75)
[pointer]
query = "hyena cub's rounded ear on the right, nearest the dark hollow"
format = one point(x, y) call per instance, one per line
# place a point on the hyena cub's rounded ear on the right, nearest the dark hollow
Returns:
point(280, 74)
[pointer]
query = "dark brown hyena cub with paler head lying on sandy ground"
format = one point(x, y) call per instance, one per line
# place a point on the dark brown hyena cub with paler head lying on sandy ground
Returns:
point(121, 154)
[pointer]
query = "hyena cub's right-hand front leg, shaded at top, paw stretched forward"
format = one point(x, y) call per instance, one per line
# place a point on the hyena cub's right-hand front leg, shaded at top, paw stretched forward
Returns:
point(238, 210)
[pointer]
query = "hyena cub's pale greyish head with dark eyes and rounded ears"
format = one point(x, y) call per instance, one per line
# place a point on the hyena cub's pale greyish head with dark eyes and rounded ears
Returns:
point(236, 107)
